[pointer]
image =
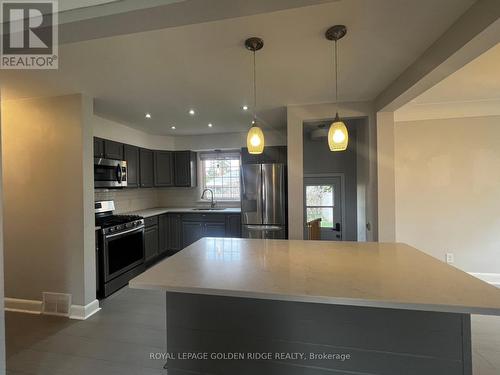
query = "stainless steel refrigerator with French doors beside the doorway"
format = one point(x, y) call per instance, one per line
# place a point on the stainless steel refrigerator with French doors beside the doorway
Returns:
point(263, 201)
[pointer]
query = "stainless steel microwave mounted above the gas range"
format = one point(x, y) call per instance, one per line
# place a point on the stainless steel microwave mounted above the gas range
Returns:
point(109, 173)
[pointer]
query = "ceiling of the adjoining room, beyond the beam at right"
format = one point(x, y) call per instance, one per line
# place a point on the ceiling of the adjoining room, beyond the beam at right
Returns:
point(473, 89)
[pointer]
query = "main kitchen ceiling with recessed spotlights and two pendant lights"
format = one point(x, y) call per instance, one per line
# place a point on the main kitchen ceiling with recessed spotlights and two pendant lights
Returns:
point(205, 66)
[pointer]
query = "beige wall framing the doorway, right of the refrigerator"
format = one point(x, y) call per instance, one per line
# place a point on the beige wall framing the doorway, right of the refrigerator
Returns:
point(367, 165)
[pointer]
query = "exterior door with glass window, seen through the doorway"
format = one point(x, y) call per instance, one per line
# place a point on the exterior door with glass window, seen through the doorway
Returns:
point(323, 199)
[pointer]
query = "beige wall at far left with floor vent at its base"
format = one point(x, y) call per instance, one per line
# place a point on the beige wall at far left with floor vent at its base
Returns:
point(49, 234)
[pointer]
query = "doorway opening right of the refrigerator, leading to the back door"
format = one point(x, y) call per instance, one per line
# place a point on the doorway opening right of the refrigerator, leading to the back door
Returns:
point(335, 182)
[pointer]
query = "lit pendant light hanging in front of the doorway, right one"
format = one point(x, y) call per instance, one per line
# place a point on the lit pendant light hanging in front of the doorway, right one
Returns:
point(338, 136)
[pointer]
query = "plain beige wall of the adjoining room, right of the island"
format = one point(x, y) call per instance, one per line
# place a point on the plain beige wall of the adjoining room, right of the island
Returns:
point(448, 189)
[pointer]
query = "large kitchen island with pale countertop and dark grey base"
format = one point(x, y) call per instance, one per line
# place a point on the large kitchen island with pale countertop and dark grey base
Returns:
point(239, 306)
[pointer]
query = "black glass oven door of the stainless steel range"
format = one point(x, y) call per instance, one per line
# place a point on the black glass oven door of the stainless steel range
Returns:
point(121, 252)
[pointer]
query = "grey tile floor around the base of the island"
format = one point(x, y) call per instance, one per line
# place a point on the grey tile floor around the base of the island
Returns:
point(131, 325)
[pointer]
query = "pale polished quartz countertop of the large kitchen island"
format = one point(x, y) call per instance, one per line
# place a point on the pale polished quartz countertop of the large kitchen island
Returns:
point(389, 275)
